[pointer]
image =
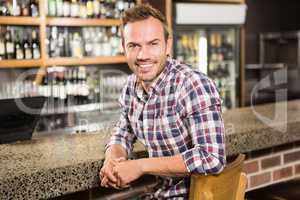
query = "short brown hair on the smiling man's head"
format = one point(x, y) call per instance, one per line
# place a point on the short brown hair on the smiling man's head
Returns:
point(142, 12)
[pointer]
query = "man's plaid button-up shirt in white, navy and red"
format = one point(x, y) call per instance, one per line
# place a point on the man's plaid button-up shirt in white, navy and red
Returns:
point(181, 114)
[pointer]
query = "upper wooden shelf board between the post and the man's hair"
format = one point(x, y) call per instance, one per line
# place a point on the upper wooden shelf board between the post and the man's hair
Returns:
point(64, 21)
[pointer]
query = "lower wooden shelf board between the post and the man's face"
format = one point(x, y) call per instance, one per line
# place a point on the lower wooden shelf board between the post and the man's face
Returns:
point(86, 60)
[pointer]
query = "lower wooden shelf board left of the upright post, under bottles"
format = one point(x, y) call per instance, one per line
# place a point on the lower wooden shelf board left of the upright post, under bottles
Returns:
point(20, 63)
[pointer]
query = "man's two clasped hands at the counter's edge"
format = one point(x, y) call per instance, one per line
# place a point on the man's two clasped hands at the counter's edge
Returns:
point(119, 173)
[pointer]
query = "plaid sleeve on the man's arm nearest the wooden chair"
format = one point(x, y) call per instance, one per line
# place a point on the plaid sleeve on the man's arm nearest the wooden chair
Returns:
point(201, 106)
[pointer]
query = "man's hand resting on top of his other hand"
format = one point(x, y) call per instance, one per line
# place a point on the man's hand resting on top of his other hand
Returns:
point(127, 171)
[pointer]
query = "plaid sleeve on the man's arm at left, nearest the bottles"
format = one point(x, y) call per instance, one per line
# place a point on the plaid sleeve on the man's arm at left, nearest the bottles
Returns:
point(123, 133)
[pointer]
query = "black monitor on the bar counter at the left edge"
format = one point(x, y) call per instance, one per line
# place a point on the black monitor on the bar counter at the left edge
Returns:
point(18, 118)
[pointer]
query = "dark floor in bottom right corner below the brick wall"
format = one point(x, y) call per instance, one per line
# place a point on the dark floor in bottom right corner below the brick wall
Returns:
point(284, 191)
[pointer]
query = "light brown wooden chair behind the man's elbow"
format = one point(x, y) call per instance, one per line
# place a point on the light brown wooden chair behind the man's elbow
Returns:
point(230, 184)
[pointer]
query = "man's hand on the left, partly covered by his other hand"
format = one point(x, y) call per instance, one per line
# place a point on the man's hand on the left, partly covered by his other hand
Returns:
point(106, 174)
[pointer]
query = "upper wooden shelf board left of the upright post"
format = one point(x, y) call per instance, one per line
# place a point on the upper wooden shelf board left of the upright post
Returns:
point(11, 20)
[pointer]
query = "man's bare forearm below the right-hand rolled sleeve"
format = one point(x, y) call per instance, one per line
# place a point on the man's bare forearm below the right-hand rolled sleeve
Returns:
point(163, 166)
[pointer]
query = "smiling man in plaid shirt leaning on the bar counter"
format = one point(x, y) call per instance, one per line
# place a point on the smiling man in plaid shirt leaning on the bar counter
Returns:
point(172, 109)
